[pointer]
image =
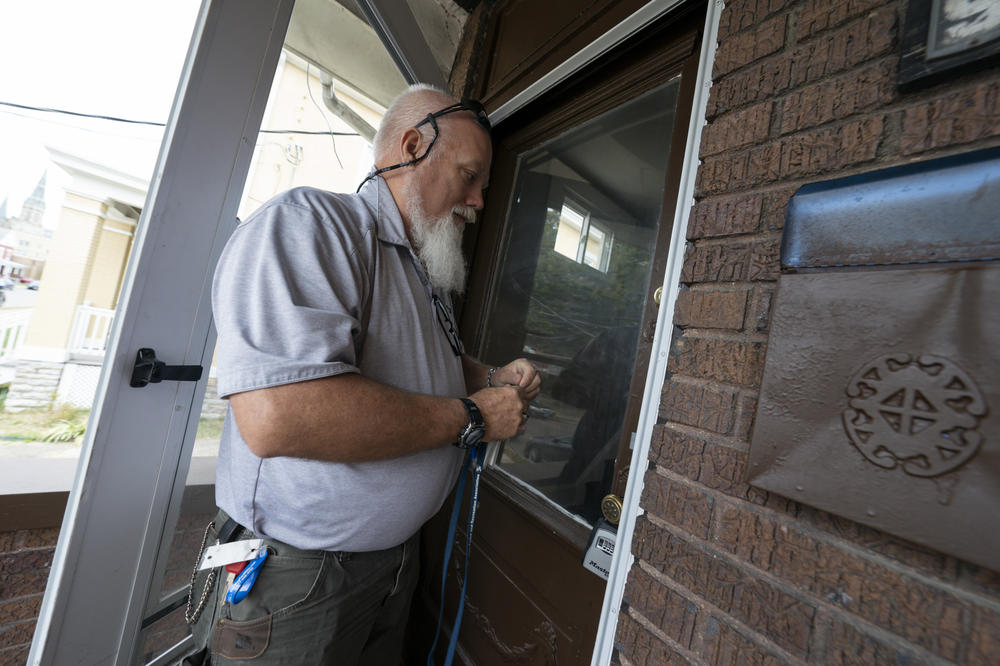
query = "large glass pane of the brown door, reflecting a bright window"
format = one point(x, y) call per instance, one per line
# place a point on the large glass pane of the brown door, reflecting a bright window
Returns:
point(580, 239)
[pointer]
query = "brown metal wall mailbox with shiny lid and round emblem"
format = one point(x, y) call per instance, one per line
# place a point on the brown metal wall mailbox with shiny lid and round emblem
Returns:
point(882, 379)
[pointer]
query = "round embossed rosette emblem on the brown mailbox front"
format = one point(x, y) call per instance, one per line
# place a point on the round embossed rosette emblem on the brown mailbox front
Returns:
point(921, 413)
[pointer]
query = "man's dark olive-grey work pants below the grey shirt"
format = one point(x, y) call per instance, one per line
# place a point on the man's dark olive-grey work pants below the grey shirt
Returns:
point(312, 607)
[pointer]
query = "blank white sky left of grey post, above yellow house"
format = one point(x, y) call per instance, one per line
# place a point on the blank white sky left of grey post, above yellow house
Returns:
point(118, 58)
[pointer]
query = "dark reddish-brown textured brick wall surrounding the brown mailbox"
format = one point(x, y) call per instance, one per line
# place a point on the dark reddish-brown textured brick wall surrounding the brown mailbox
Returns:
point(725, 573)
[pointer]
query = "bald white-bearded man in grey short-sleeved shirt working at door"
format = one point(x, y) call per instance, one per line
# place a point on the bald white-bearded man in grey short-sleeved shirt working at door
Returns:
point(350, 396)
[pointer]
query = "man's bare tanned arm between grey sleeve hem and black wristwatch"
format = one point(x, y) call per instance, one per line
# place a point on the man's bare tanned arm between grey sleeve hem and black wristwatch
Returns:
point(346, 418)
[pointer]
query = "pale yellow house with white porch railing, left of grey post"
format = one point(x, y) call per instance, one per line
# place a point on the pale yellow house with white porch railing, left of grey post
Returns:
point(59, 358)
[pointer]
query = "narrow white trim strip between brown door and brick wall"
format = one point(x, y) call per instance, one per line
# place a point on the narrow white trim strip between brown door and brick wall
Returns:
point(622, 560)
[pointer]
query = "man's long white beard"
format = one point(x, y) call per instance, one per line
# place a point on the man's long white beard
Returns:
point(438, 244)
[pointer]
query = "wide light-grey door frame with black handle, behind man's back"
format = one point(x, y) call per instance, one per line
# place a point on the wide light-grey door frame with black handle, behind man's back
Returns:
point(137, 448)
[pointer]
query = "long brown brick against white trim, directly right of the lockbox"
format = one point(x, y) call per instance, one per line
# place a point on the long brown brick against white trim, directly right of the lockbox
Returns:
point(753, 601)
